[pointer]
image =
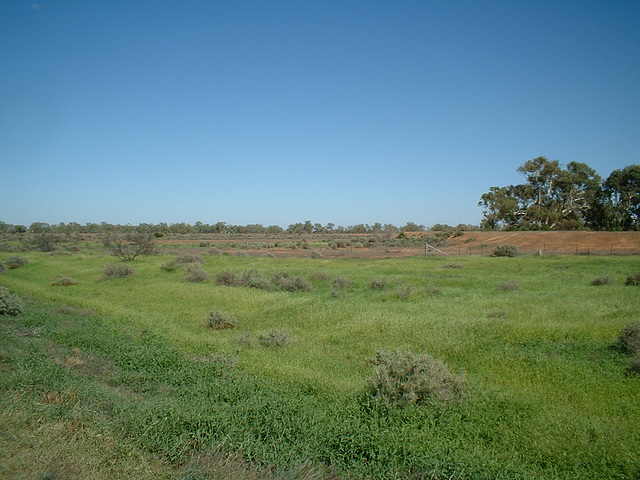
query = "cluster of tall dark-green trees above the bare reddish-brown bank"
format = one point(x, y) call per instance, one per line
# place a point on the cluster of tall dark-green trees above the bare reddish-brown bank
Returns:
point(564, 198)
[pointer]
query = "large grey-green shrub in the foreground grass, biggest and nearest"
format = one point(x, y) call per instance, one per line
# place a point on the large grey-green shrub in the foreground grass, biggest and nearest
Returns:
point(401, 378)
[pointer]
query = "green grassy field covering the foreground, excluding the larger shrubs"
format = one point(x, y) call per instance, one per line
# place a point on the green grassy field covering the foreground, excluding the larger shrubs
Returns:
point(121, 378)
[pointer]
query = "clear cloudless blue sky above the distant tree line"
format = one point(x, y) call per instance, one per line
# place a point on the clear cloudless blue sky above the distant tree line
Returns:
point(279, 112)
